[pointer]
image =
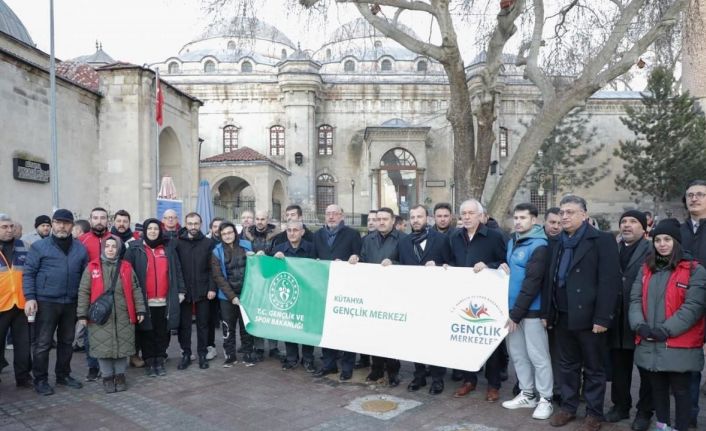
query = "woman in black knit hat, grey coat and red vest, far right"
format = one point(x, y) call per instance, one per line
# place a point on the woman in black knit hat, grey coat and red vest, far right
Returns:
point(667, 313)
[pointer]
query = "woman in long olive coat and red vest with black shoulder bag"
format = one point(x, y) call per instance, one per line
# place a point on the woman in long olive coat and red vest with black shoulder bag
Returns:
point(114, 341)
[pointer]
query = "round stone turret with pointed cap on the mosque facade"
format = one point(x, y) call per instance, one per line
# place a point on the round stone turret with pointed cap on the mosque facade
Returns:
point(300, 82)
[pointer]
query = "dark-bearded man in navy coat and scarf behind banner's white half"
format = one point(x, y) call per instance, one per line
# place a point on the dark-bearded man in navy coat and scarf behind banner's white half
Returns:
point(425, 246)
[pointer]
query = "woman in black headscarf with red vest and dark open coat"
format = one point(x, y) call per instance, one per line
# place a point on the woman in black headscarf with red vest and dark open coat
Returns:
point(157, 266)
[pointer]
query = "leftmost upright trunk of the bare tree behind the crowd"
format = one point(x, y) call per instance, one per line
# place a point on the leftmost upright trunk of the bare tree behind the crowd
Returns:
point(461, 119)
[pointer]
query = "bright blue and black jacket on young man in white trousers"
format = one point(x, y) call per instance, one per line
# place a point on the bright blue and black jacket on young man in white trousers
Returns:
point(526, 257)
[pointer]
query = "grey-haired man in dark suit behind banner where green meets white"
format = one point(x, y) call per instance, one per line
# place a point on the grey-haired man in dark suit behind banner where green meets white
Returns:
point(336, 241)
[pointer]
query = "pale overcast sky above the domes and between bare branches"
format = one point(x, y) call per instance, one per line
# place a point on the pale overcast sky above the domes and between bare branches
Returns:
point(147, 31)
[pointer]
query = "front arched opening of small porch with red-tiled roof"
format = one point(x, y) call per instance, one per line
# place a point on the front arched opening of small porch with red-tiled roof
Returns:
point(231, 196)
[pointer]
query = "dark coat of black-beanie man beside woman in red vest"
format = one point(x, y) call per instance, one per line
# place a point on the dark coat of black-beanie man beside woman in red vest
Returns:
point(620, 335)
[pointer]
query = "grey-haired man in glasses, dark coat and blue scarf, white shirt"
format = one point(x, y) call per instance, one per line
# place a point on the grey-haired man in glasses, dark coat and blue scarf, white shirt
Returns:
point(584, 272)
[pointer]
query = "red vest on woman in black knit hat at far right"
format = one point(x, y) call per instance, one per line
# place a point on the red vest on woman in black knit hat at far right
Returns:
point(674, 296)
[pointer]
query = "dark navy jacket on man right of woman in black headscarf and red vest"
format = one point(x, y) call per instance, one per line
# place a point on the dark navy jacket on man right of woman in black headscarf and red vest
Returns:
point(195, 257)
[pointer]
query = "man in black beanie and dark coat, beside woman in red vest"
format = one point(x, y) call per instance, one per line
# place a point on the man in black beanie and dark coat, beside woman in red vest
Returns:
point(633, 249)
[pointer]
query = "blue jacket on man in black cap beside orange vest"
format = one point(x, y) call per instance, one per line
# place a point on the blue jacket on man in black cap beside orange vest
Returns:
point(52, 276)
